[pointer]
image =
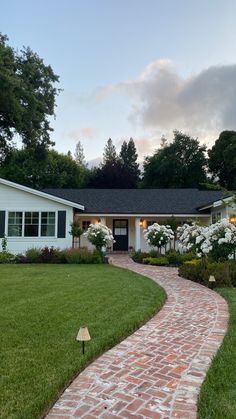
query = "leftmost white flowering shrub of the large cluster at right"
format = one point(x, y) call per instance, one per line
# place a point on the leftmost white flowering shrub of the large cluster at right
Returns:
point(187, 237)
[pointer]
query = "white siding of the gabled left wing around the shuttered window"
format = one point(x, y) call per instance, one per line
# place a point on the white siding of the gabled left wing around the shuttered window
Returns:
point(12, 199)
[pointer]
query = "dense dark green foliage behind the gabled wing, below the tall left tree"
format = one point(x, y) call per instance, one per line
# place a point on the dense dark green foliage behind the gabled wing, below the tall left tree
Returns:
point(48, 170)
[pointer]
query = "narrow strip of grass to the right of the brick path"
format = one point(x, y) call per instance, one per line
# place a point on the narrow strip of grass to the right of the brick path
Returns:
point(218, 393)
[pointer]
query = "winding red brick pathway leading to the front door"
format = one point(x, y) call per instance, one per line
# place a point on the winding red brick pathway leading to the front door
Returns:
point(156, 372)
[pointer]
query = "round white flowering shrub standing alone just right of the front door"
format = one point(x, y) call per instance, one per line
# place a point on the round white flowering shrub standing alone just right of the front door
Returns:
point(158, 235)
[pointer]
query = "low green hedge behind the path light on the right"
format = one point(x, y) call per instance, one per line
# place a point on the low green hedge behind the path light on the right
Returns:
point(224, 272)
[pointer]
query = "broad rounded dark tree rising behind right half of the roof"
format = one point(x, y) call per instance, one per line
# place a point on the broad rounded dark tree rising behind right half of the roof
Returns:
point(180, 164)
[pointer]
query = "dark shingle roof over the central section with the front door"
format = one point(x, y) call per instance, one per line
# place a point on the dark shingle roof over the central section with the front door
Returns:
point(138, 201)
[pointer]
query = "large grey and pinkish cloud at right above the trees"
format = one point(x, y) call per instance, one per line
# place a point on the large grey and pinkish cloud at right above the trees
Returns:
point(163, 100)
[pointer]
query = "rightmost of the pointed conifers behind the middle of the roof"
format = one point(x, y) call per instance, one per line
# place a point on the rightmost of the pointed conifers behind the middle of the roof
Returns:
point(129, 156)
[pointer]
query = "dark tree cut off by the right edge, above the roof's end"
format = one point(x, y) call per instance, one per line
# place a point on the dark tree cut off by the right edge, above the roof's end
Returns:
point(222, 159)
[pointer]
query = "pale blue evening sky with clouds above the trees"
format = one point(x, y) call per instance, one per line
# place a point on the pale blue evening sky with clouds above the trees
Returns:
point(132, 68)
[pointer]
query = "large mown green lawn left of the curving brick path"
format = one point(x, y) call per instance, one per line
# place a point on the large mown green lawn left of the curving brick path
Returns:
point(41, 310)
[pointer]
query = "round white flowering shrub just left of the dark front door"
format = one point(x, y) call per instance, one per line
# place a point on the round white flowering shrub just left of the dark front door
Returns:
point(99, 235)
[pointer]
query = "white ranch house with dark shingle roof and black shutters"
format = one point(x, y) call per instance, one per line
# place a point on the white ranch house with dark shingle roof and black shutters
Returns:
point(32, 218)
